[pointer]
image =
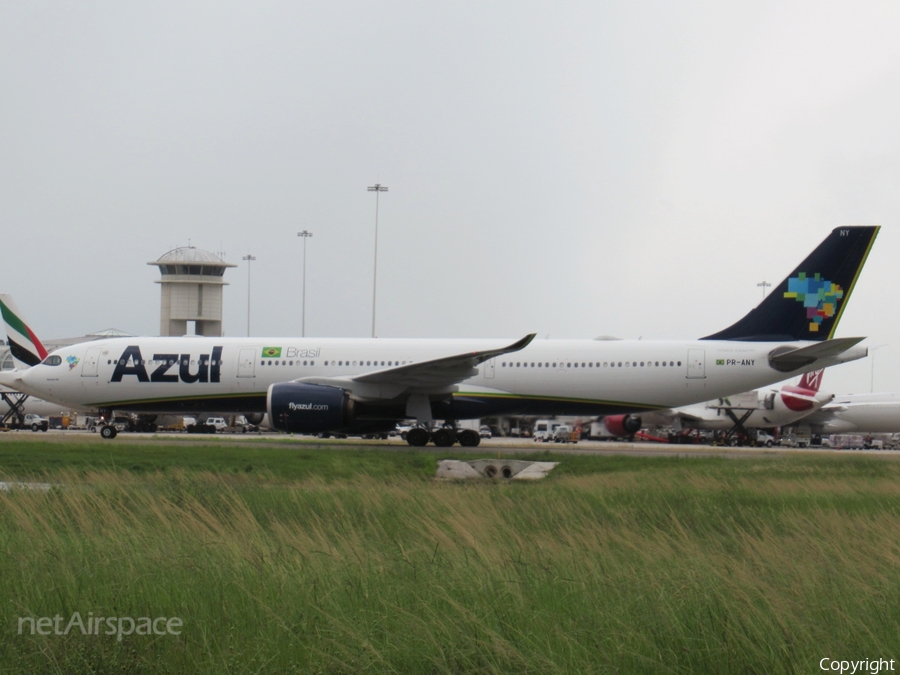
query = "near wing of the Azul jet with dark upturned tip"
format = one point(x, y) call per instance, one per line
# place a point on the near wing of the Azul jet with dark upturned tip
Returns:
point(434, 376)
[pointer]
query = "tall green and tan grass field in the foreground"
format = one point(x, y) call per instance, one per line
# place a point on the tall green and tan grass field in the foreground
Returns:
point(344, 559)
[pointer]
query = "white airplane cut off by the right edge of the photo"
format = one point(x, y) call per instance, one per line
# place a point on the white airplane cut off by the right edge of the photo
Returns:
point(857, 413)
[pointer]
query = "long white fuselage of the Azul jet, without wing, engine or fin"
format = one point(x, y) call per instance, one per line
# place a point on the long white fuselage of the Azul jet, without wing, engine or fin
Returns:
point(202, 374)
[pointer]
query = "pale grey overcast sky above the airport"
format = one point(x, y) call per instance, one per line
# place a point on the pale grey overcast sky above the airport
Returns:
point(568, 168)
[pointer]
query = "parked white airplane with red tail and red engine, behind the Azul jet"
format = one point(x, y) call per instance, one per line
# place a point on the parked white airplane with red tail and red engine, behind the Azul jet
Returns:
point(752, 410)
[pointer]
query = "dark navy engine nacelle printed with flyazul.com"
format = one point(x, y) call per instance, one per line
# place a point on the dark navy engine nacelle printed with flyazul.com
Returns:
point(308, 408)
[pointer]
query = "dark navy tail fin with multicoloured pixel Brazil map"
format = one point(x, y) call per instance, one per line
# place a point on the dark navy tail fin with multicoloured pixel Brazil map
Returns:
point(809, 303)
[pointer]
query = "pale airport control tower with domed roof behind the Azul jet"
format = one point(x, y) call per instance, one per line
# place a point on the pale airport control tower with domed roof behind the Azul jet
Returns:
point(192, 282)
